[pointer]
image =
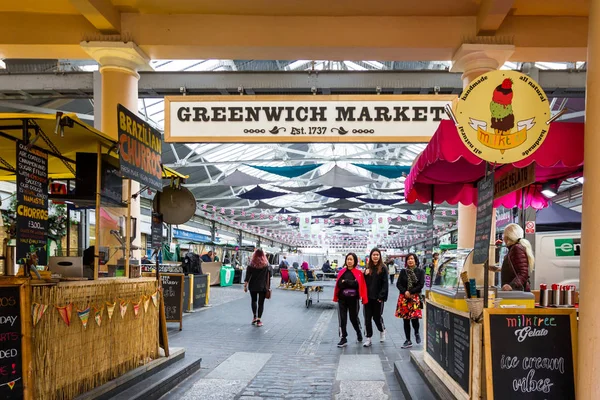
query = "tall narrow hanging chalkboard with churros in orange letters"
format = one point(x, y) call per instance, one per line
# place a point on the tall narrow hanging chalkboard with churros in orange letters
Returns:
point(32, 204)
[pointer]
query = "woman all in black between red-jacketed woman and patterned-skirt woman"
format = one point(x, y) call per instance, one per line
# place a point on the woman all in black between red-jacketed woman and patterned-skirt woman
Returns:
point(377, 279)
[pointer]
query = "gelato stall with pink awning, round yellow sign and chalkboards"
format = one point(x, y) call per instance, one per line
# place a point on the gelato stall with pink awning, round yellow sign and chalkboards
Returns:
point(467, 161)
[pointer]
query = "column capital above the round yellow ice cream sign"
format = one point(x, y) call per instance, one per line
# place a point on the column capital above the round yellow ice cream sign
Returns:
point(480, 58)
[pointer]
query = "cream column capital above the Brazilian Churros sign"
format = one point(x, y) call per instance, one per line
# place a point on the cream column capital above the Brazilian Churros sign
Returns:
point(127, 57)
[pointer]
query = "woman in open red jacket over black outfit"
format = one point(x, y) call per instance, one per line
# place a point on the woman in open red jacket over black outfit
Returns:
point(349, 288)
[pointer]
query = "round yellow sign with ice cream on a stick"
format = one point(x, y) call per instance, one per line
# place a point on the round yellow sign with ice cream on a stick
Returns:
point(502, 116)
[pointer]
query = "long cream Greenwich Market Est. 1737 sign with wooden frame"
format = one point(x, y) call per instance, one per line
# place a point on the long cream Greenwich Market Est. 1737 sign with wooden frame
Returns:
point(303, 118)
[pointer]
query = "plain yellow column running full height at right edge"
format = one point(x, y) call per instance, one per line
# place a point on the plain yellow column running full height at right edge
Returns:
point(588, 365)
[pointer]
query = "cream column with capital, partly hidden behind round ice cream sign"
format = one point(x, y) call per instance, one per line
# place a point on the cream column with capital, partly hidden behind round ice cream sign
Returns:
point(474, 60)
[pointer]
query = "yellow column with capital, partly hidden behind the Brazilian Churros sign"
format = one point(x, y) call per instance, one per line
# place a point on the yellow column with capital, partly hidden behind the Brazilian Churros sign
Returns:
point(119, 66)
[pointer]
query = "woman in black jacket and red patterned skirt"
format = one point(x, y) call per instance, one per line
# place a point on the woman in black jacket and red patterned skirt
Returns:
point(410, 283)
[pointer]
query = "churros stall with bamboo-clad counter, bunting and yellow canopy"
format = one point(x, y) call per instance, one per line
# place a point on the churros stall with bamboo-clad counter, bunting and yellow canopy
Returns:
point(71, 331)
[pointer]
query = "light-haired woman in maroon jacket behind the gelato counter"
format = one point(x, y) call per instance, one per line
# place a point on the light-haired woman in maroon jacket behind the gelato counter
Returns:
point(518, 263)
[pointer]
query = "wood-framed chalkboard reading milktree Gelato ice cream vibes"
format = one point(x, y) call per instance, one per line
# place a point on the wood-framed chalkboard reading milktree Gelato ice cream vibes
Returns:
point(530, 354)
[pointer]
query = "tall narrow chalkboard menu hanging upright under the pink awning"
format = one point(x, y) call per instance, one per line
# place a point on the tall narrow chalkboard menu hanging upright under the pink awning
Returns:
point(483, 227)
